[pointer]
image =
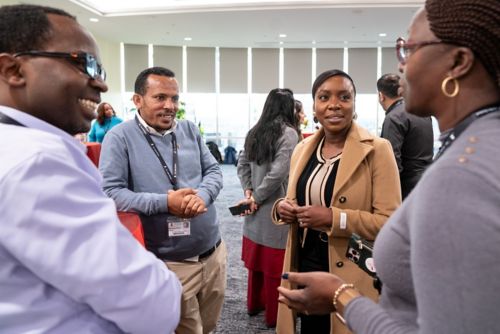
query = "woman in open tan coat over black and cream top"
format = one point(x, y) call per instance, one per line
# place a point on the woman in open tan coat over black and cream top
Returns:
point(342, 181)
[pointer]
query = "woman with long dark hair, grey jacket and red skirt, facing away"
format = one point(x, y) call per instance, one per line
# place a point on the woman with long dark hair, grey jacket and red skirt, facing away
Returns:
point(263, 173)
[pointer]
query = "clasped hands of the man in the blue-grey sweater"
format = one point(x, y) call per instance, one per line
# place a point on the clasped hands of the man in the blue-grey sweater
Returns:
point(185, 203)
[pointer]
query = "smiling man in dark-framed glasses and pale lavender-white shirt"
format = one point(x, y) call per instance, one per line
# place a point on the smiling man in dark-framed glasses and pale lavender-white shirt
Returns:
point(67, 264)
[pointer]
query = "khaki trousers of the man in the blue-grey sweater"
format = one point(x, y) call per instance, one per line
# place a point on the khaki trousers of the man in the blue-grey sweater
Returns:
point(203, 288)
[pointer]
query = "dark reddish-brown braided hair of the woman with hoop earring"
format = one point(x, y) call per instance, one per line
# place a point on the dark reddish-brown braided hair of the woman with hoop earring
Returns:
point(471, 23)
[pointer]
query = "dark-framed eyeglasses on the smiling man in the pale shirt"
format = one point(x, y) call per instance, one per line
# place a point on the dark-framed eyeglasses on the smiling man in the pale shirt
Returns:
point(90, 65)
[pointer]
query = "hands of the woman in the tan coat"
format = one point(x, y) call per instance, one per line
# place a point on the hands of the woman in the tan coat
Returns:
point(311, 216)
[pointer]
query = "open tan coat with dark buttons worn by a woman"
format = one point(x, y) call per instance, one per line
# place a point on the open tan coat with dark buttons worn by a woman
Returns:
point(367, 190)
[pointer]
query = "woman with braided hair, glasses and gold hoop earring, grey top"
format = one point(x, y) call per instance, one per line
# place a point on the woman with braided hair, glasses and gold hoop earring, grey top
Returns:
point(437, 256)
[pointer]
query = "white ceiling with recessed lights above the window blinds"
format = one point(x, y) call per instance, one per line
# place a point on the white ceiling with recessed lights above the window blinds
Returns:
point(243, 23)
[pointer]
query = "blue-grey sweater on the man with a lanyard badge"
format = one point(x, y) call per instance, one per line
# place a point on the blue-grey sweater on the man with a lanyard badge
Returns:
point(134, 178)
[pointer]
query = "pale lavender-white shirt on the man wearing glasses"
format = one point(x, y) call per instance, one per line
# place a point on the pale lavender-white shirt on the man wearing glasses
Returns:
point(67, 265)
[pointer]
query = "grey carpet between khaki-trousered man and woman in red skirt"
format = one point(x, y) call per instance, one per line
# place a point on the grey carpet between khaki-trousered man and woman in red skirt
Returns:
point(234, 318)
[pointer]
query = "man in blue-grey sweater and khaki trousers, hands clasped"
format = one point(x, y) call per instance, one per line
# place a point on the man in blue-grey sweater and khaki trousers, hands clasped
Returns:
point(160, 167)
